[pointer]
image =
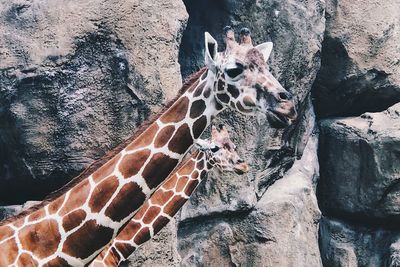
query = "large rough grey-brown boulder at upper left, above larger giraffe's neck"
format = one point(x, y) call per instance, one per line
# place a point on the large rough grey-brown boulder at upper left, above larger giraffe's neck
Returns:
point(75, 80)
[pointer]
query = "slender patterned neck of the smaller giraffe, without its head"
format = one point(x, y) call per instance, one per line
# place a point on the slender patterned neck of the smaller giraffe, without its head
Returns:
point(157, 211)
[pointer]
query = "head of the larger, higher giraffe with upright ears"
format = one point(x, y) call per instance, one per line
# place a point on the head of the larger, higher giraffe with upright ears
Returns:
point(243, 80)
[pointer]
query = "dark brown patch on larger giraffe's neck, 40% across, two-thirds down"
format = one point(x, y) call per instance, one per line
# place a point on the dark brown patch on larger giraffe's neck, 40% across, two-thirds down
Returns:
point(158, 169)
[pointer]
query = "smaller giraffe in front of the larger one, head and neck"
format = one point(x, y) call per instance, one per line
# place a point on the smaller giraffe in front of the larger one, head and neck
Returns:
point(167, 200)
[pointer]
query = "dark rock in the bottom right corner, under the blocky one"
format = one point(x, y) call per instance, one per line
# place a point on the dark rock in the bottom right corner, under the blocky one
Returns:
point(350, 245)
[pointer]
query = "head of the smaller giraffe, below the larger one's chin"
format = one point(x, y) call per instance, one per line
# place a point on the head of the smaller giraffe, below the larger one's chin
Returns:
point(221, 151)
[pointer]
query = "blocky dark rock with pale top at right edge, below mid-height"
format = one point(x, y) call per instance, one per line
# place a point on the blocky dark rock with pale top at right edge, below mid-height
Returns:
point(360, 167)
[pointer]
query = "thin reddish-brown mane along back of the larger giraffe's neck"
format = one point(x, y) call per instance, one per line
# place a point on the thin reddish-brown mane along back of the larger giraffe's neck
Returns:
point(189, 83)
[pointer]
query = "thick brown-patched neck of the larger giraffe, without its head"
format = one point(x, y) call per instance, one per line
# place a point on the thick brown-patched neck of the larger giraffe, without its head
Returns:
point(73, 228)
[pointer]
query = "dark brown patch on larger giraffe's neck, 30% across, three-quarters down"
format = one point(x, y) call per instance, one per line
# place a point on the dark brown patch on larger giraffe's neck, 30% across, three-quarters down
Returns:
point(128, 199)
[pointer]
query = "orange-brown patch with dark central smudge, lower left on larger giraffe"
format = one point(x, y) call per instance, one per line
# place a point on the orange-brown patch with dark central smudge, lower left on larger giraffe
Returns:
point(41, 238)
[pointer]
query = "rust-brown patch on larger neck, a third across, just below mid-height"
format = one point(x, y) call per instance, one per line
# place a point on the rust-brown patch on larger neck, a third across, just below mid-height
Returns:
point(132, 163)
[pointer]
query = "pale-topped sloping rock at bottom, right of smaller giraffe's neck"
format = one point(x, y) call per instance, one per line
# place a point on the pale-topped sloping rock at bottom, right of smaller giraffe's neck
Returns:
point(281, 229)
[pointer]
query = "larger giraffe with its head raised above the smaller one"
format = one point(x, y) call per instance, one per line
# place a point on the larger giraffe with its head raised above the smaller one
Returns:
point(71, 229)
